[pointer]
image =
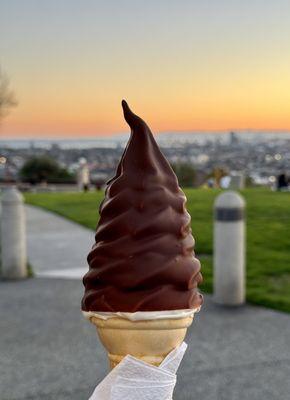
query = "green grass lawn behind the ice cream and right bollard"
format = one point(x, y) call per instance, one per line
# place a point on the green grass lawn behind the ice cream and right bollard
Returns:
point(268, 235)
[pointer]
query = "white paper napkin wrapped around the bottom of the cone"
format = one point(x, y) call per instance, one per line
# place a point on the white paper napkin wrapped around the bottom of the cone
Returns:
point(134, 379)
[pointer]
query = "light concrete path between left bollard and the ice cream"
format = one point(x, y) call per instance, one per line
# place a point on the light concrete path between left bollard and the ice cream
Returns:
point(56, 246)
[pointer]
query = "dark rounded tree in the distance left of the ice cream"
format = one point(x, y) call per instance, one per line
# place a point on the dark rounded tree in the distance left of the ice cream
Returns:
point(44, 169)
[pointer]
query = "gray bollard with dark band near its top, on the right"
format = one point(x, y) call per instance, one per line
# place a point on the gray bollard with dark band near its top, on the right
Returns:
point(229, 249)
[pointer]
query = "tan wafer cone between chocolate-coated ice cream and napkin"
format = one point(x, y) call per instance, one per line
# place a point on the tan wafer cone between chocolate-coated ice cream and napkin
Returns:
point(149, 340)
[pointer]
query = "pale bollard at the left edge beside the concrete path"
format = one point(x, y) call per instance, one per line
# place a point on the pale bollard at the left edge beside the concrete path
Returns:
point(13, 235)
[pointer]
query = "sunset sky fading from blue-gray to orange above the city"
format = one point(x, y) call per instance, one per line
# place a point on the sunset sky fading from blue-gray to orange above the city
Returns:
point(183, 65)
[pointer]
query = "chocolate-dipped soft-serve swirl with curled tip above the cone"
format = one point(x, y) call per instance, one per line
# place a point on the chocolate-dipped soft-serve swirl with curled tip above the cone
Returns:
point(143, 258)
